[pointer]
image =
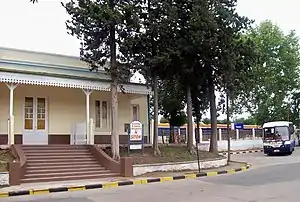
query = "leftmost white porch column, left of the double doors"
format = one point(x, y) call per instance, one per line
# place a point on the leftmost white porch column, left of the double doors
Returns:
point(11, 132)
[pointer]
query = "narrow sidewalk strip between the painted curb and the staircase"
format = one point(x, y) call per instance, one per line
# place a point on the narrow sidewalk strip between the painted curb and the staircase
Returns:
point(113, 182)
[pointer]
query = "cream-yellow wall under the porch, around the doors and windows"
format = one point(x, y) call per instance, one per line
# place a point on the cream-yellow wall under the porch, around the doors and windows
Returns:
point(67, 106)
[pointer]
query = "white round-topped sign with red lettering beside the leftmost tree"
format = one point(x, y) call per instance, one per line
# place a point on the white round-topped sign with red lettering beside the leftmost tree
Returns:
point(135, 136)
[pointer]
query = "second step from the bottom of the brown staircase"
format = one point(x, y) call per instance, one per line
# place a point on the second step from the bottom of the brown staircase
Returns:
point(61, 174)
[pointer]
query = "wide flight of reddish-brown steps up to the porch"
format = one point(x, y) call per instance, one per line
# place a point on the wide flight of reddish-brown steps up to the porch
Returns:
point(62, 162)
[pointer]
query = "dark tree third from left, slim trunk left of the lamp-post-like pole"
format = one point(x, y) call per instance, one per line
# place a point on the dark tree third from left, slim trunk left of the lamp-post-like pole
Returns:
point(179, 56)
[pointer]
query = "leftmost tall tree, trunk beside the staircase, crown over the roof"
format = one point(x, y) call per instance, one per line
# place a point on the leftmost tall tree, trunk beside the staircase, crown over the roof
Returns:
point(102, 26)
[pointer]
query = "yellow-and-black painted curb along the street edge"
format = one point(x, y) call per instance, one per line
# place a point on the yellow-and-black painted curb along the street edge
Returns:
point(121, 183)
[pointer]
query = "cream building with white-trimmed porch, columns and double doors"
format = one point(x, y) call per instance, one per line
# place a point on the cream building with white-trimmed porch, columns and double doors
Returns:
point(48, 98)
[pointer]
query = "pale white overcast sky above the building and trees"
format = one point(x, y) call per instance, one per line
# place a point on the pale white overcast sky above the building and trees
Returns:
point(41, 27)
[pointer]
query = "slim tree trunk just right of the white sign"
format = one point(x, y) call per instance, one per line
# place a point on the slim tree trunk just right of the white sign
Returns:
point(155, 132)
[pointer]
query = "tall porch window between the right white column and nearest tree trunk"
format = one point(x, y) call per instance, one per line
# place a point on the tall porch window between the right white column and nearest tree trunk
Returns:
point(101, 117)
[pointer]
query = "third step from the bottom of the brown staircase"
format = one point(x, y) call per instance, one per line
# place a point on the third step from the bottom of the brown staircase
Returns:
point(64, 169)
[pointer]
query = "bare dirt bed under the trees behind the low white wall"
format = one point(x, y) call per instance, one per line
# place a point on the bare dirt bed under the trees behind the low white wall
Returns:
point(168, 154)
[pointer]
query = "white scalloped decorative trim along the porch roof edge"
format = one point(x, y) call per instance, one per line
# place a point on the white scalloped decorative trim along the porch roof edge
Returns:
point(30, 79)
